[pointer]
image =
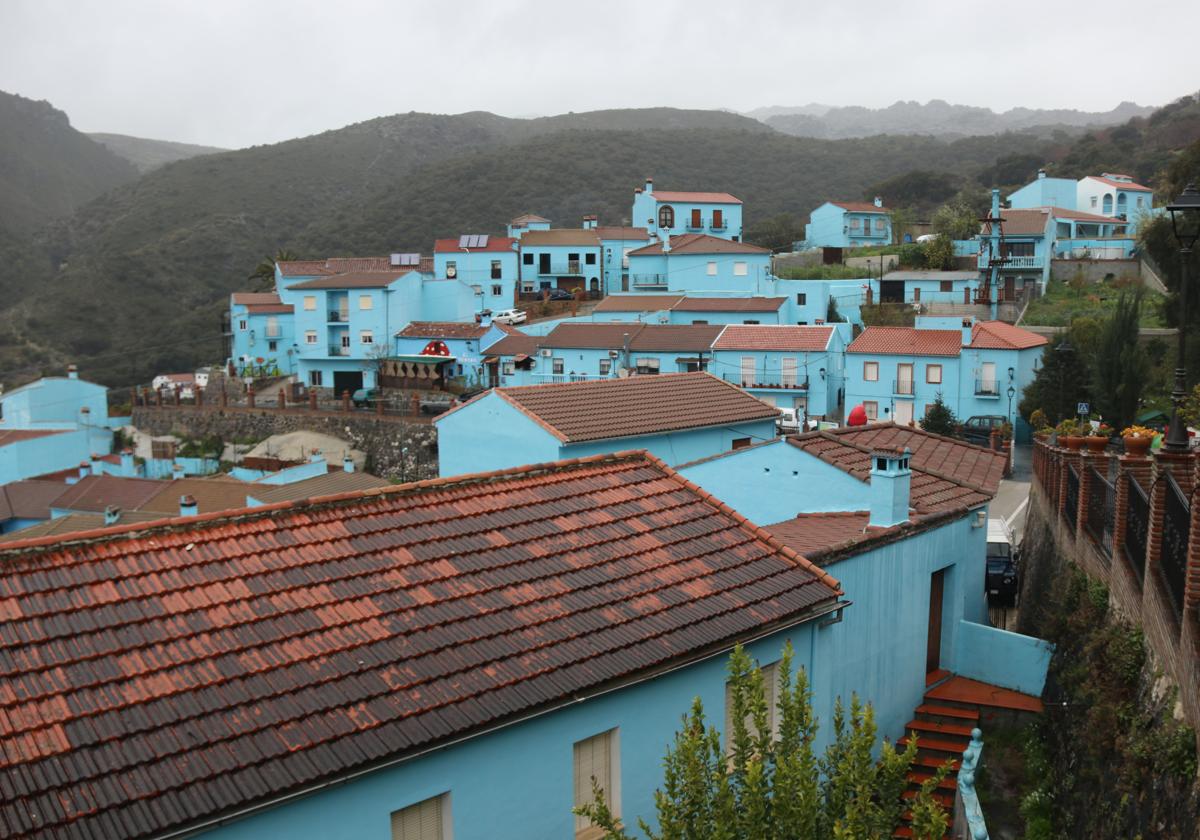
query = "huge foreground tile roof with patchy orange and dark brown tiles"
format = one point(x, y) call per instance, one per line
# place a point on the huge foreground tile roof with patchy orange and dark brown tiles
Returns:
point(159, 677)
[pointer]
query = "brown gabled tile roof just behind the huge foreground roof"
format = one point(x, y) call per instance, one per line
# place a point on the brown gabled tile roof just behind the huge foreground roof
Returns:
point(605, 410)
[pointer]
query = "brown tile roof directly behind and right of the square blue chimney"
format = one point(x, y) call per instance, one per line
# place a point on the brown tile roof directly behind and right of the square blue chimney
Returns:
point(946, 473)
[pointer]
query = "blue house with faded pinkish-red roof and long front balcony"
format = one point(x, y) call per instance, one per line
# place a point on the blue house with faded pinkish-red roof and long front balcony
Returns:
point(796, 368)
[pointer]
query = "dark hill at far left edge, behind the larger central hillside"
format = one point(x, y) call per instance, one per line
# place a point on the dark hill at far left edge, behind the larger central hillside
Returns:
point(47, 169)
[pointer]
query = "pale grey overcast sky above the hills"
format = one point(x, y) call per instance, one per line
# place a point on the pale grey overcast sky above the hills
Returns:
point(242, 73)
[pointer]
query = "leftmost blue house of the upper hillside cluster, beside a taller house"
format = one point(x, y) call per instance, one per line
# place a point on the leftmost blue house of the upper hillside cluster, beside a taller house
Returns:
point(263, 329)
